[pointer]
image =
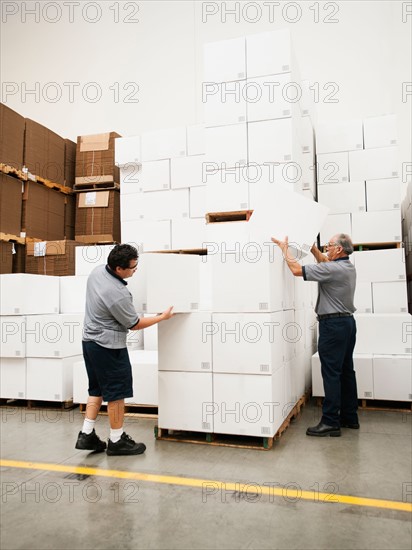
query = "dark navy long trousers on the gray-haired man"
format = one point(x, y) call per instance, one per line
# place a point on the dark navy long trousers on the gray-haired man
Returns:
point(337, 338)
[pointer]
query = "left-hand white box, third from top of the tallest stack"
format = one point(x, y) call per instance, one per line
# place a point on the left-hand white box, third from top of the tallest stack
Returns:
point(226, 146)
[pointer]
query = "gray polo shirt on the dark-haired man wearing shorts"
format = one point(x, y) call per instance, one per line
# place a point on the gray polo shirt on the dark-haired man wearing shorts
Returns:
point(109, 309)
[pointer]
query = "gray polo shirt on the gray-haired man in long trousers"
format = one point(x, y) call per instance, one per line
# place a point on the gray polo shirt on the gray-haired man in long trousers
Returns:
point(337, 281)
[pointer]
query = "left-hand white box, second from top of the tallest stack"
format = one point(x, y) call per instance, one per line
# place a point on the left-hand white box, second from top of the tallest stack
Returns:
point(224, 103)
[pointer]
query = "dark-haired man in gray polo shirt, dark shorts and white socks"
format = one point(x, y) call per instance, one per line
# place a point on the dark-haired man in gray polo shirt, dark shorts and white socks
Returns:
point(109, 316)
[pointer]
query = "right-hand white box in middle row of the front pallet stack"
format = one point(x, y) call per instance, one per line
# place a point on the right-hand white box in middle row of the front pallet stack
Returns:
point(248, 343)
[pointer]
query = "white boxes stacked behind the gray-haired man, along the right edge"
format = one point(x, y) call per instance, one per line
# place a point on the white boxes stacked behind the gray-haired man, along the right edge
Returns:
point(359, 180)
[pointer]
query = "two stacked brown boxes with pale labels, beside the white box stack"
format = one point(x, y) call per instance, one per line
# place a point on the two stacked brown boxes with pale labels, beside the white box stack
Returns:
point(98, 208)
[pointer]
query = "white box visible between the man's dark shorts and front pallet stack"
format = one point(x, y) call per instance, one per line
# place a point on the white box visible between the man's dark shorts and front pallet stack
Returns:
point(145, 378)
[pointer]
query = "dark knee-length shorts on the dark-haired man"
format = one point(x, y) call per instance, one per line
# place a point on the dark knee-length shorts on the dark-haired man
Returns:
point(109, 372)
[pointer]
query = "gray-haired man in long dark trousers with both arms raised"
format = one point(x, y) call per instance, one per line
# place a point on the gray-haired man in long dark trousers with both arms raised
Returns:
point(336, 276)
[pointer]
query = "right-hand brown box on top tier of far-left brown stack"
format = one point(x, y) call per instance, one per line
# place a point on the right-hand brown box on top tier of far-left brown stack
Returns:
point(44, 152)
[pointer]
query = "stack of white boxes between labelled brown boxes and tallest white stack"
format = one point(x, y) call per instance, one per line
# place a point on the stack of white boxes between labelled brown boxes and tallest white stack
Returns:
point(161, 192)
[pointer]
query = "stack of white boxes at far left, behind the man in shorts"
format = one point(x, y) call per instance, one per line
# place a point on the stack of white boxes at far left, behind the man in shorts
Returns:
point(39, 345)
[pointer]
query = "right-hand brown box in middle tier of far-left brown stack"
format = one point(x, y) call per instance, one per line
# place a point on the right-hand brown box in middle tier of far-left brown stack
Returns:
point(43, 212)
